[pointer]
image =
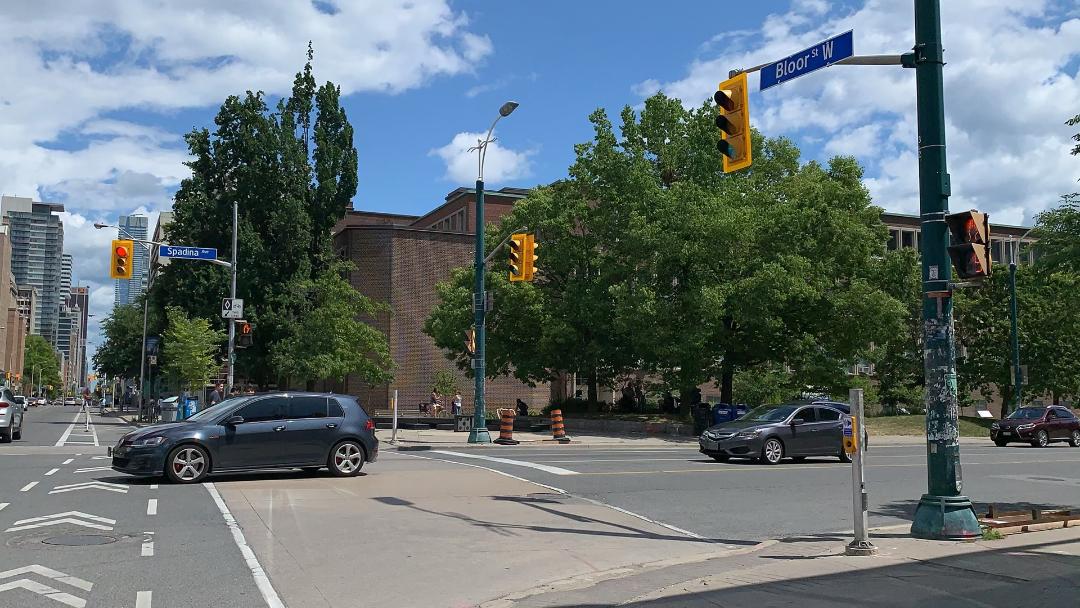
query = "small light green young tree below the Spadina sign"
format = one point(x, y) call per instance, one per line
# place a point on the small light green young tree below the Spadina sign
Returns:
point(191, 349)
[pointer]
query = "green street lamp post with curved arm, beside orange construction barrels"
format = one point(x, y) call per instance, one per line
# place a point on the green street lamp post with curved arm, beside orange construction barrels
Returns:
point(479, 434)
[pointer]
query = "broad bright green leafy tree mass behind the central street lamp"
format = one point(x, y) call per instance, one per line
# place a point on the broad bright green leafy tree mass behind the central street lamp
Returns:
point(655, 261)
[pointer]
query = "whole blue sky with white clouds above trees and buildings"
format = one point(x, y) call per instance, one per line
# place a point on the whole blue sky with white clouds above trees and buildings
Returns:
point(100, 94)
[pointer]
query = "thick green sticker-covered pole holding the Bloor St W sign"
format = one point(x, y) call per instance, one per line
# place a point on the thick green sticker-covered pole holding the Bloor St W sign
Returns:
point(943, 512)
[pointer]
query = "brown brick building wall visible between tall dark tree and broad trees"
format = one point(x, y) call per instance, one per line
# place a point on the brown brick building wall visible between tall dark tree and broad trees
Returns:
point(400, 260)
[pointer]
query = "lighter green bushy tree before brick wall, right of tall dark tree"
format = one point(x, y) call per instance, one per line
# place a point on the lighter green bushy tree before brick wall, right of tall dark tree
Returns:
point(331, 340)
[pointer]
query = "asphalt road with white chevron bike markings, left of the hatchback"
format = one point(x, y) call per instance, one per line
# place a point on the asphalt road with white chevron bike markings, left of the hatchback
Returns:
point(119, 543)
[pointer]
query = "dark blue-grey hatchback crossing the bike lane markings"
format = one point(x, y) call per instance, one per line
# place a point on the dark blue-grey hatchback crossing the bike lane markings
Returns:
point(296, 430)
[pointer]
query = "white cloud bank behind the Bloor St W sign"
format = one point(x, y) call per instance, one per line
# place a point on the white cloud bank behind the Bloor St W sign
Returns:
point(1010, 77)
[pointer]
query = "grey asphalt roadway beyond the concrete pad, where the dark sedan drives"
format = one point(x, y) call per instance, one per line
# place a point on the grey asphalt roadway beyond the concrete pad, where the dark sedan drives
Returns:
point(748, 503)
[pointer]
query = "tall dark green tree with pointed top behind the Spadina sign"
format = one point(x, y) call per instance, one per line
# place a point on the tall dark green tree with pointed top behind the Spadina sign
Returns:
point(293, 173)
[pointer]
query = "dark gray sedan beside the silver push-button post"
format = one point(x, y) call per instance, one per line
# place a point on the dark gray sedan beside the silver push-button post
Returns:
point(774, 433)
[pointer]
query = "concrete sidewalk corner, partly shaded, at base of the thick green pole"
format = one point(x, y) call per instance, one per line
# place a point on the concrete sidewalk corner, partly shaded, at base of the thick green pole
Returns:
point(1032, 570)
